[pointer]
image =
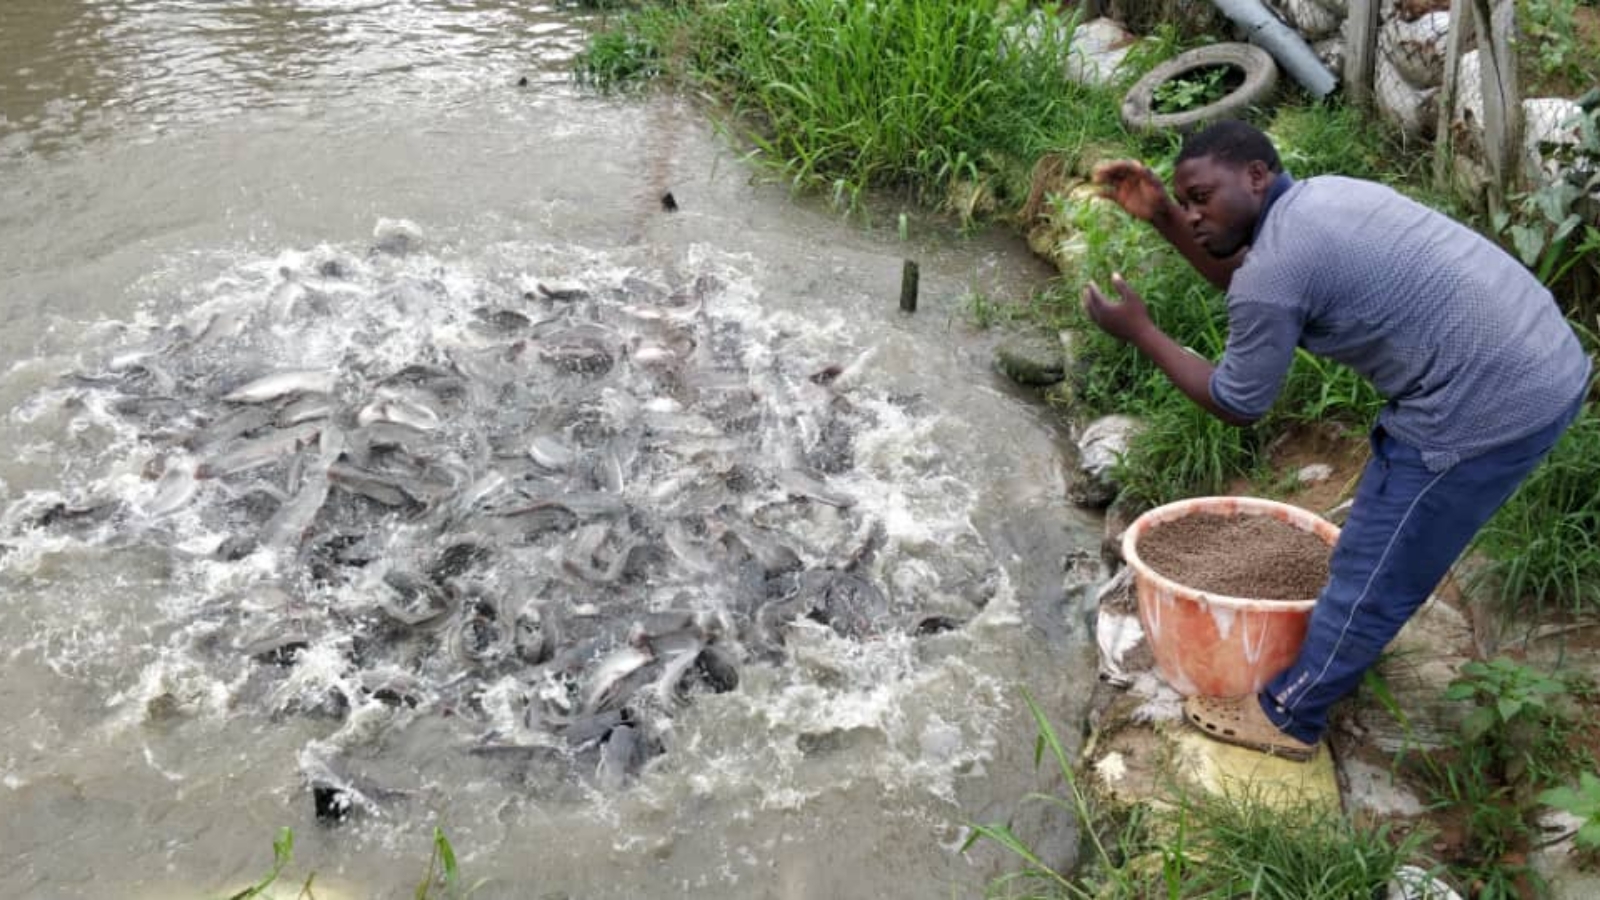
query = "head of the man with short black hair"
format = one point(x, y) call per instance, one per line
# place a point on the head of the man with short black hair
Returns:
point(1222, 182)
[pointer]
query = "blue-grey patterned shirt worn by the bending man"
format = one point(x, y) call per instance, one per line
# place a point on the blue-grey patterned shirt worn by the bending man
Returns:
point(1466, 347)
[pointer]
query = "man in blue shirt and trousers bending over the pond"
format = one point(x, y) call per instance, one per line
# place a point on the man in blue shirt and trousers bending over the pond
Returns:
point(1478, 364)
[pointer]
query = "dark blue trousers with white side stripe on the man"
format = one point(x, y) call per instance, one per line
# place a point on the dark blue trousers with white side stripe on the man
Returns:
point(1406, 531)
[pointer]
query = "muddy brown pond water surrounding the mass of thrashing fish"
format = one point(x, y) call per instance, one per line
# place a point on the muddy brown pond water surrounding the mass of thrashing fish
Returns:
point(167, 159)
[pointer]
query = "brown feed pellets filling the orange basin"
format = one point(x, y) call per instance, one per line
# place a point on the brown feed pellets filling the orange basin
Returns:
point(1239, 556)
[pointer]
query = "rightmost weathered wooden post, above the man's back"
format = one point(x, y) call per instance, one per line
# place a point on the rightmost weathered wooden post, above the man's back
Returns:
point(1497, 25)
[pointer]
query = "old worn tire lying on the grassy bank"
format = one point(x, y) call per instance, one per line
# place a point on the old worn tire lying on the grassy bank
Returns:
point(1262, 78)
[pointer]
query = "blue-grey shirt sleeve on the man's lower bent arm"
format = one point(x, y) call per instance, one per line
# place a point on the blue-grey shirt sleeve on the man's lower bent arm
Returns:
point(1262, 340)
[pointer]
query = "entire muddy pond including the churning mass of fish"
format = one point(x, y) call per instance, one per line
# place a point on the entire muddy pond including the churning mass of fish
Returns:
point(380, 438)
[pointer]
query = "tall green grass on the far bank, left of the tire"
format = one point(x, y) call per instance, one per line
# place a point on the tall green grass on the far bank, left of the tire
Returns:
point(847, 97)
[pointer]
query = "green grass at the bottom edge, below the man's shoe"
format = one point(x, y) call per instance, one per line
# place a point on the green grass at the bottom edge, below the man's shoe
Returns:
point(1215, 846)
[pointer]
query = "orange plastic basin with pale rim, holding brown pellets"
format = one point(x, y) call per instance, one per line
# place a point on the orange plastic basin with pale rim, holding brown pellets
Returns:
point(1212, 645)
